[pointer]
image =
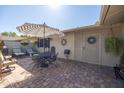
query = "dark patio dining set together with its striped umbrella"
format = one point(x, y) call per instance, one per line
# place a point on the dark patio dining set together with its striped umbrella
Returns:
point(41, 31)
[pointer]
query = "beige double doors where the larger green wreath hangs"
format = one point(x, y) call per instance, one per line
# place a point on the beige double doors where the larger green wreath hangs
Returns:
point(84, 51)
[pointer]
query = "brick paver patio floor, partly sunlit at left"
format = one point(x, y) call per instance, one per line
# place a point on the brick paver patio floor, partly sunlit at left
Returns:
point(65, 74)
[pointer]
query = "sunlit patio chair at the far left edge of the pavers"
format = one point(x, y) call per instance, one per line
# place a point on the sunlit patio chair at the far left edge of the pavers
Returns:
point(5, 64)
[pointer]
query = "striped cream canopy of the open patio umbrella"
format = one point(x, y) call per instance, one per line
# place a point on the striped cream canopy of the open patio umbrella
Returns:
point(38, 30)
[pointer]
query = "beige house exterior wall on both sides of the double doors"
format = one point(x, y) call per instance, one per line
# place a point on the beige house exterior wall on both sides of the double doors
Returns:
point(72, 43)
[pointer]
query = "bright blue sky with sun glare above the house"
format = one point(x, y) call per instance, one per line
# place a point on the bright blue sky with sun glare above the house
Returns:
point(61, 17)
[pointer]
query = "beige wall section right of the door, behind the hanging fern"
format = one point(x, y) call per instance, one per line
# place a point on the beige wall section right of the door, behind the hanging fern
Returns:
point(107, 58)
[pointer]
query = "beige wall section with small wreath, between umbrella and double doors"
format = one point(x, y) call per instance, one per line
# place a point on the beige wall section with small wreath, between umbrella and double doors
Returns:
point(56, 41)
